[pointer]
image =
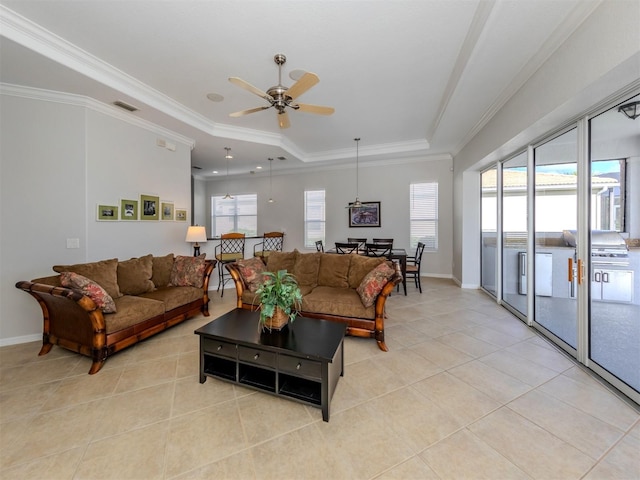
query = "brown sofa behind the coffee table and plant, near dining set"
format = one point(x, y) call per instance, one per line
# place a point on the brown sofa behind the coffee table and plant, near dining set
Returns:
point(329, 285)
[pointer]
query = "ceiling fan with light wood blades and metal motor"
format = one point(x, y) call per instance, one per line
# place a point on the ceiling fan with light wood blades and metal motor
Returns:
point(281, 97)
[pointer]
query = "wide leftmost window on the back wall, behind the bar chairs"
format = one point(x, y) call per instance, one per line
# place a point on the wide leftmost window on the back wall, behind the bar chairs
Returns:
point(238, 214)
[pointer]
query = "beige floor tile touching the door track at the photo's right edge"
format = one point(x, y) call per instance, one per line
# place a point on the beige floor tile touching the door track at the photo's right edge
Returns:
point(592, 398)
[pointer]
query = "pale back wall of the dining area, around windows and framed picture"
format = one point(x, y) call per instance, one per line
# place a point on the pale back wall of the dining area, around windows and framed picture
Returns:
point(388, 184)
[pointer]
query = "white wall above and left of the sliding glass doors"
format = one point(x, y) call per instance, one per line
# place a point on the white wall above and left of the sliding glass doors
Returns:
point(601, 57)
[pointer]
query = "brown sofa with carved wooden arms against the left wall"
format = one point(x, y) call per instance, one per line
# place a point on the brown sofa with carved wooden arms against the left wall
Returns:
point(149, 295)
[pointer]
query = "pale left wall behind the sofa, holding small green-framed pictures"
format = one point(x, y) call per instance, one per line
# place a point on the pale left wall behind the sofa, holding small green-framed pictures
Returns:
point(58, 160)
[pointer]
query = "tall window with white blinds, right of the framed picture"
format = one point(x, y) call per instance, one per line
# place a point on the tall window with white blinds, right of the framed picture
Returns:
point(423, 215)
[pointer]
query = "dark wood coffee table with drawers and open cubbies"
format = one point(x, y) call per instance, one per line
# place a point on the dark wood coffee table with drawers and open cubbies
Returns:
point(302, 362)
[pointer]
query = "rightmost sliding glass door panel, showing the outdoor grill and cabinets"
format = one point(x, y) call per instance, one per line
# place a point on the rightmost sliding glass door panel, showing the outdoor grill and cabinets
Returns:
point(614, 320)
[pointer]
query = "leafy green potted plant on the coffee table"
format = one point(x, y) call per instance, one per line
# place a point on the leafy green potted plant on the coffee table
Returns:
point(280, 299)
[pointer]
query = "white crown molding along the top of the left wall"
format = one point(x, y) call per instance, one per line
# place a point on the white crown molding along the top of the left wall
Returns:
point(92, 104)
